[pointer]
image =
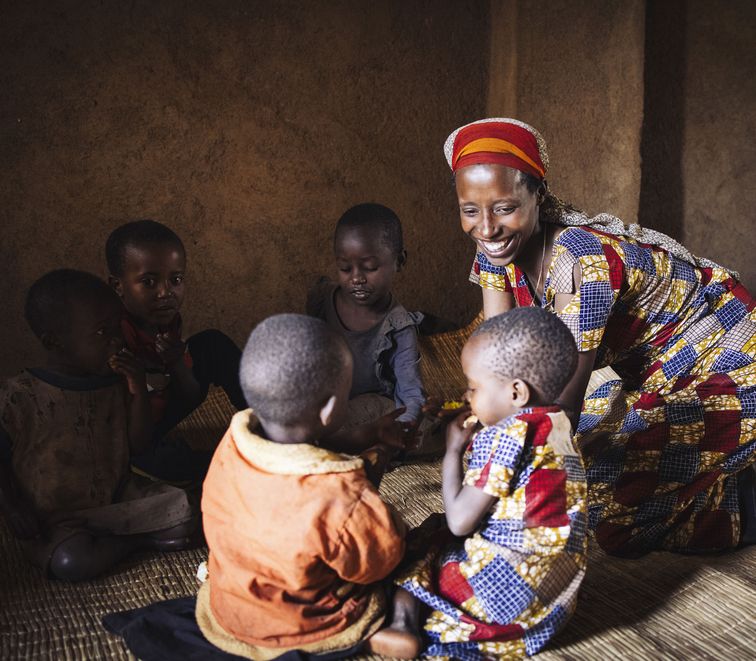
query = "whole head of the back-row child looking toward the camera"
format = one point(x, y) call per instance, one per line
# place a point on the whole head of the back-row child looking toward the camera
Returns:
point(147, 262)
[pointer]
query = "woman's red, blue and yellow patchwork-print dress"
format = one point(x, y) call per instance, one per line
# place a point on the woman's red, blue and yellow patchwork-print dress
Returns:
point(662, 445)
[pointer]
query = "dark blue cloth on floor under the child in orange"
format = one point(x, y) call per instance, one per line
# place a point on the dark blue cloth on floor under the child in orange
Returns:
point(168, 631)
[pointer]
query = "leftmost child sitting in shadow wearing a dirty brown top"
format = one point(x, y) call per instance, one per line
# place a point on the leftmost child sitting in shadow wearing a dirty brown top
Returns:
point(66, 433)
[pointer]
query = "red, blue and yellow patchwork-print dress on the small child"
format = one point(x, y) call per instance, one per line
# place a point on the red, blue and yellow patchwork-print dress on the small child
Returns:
point(506, 590)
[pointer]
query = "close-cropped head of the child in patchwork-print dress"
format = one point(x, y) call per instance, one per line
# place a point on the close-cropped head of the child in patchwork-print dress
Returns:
point(524, 357)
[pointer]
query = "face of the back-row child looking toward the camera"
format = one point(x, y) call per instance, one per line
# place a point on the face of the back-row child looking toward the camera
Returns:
point(152, 283)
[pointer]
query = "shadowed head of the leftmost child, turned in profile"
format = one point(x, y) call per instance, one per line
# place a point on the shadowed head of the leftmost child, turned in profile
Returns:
point(77, 318)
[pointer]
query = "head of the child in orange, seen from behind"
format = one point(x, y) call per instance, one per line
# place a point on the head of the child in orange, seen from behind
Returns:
point(295, 371)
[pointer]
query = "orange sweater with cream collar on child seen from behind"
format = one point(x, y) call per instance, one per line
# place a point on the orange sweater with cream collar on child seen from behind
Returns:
point(297, 534)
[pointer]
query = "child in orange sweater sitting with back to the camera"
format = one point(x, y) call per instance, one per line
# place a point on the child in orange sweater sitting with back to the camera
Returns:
point(298, 535)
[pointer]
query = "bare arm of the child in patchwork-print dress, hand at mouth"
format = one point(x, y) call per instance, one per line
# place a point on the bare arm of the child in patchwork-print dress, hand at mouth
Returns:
point(465, 506)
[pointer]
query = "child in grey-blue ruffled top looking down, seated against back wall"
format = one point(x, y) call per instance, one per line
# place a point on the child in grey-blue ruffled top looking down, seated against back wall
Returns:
point(381, 334)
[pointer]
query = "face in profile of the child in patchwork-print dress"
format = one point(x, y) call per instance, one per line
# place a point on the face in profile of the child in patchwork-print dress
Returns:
point(491, 398)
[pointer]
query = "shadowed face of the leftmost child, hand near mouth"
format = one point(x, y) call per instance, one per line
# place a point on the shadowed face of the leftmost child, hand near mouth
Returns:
point(93, 336)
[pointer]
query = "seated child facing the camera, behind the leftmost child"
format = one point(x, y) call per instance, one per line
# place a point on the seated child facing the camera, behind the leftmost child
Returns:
point(147, 264)
